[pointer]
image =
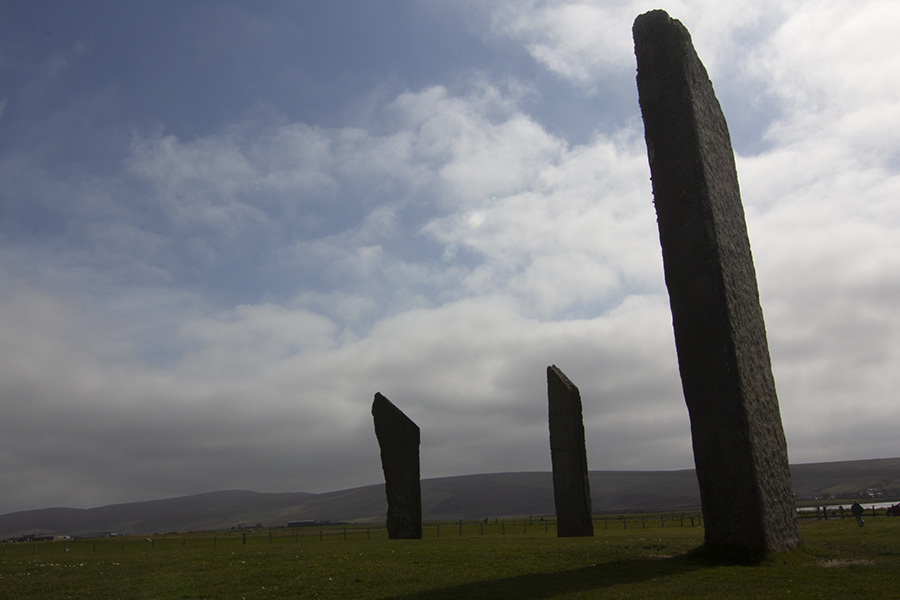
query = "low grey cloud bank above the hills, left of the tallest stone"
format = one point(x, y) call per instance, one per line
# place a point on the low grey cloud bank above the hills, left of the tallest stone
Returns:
point(251, 408)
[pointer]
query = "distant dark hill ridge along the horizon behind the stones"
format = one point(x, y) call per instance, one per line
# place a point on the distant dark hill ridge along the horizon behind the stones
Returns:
point(446, 498)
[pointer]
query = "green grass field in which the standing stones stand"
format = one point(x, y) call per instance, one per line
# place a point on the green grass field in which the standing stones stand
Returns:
point(512, 560)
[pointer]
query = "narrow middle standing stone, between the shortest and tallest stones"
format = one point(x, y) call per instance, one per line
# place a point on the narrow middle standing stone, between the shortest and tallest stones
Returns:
point(571, 487)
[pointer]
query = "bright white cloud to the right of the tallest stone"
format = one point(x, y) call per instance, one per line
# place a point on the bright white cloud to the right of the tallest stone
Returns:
point(824, 223)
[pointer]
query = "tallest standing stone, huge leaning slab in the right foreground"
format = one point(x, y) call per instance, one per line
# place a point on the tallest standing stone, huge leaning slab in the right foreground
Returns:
point(739, 446)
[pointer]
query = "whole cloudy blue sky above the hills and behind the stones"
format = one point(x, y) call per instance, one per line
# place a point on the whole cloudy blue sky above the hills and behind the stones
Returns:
point(224, 226)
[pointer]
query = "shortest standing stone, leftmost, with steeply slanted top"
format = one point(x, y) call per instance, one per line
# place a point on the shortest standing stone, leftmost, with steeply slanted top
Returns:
point(398, 438)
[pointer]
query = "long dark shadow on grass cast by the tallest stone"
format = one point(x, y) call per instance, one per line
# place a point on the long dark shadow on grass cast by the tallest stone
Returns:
point(547, 585)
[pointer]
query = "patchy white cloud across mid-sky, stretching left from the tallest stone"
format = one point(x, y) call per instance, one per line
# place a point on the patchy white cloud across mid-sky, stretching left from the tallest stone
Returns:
point(565, 227)
